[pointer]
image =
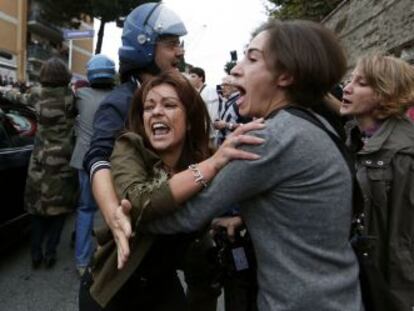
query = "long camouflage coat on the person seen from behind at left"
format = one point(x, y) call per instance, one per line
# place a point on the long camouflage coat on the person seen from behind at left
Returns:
point(51, 186)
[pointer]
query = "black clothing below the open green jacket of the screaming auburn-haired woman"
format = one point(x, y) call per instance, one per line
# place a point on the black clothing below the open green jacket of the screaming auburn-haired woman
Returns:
point(154, 286)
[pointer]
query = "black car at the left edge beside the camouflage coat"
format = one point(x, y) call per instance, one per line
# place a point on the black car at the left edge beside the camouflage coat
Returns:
point(17, 128)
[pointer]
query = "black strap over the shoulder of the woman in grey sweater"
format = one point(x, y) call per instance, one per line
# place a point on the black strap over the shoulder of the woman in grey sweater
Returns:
point(358, 205)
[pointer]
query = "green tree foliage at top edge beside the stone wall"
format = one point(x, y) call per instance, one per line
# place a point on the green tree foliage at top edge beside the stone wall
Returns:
point(305, 9)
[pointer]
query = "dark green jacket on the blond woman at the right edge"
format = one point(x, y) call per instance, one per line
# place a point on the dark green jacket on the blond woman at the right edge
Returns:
point(386, 175)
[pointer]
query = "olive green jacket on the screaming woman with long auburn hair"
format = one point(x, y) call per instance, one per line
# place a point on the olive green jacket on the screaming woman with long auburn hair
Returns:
point(137, 176)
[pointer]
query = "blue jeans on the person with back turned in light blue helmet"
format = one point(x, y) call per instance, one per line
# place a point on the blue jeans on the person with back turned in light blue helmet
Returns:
point(84, 245)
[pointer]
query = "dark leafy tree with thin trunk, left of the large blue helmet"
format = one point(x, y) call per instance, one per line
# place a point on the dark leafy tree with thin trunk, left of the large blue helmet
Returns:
point(67, 13)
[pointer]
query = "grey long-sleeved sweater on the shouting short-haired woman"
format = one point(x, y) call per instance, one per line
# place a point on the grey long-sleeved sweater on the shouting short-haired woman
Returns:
point(296, 203)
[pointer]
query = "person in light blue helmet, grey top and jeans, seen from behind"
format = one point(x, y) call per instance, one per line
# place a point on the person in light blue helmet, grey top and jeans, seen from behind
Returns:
point(100, 72)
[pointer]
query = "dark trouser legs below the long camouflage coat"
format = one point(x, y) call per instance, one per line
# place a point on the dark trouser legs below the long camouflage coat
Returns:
point(47, 228)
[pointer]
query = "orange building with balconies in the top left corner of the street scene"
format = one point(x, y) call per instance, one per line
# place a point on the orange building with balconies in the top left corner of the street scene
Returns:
point(26, 41)
